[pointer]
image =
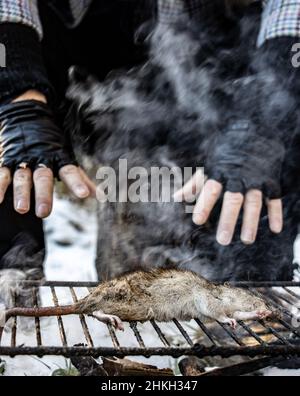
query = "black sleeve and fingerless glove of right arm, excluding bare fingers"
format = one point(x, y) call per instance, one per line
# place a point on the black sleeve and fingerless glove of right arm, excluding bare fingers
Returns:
point(249, 153)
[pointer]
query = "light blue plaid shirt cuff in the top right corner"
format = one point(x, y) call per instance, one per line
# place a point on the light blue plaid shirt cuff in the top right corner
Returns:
point(281, 18)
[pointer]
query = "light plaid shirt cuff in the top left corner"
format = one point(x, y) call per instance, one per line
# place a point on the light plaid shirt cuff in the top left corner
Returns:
point(21, 11)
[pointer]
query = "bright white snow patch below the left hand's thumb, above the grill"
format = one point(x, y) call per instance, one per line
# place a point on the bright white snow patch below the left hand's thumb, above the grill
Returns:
point(71, 242)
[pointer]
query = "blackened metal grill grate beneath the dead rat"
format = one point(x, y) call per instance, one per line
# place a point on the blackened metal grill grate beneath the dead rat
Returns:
point(273, 339)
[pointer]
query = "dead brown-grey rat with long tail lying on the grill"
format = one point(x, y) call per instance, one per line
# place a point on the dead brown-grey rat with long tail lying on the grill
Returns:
point(161, 295)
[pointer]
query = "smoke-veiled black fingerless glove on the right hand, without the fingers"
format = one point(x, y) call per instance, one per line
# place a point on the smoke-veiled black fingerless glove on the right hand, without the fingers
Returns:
point(244, 159)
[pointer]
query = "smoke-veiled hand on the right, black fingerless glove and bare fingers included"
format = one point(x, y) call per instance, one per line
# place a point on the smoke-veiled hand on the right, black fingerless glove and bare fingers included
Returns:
point(245, 166)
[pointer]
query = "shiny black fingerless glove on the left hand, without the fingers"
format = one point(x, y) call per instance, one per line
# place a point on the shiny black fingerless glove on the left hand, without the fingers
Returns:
point(28, 134)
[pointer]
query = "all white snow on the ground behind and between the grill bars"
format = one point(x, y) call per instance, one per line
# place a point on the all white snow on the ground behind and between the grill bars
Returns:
point(71, 238)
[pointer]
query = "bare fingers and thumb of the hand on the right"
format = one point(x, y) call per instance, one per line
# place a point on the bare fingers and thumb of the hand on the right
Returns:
point(251, 203)
